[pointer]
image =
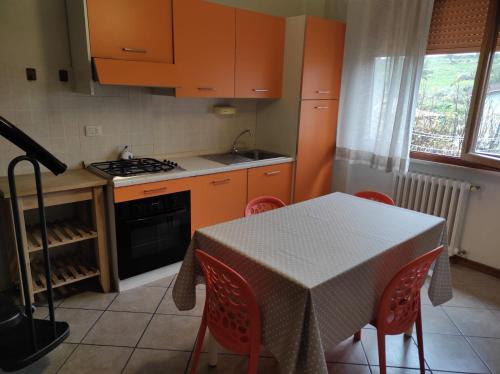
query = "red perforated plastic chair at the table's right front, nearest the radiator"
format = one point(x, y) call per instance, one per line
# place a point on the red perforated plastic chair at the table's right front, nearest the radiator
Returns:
point(399, 307)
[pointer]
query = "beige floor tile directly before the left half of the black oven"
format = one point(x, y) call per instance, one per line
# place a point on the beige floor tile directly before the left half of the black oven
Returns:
point(142, 299)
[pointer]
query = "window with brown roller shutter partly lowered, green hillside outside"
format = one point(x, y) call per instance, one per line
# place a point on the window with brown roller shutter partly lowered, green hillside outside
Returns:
point(458, 107)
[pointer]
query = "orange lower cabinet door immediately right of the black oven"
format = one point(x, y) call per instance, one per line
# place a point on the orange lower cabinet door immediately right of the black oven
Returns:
point(217, 198)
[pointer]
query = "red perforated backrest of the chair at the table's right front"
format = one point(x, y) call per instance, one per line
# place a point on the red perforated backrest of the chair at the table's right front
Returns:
point(400, 303)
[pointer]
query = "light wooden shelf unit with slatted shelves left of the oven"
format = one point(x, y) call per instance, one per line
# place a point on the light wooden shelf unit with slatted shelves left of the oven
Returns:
point(73, 187)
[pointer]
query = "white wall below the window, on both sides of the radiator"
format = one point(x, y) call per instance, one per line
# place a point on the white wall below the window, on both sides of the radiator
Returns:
point(481, 232)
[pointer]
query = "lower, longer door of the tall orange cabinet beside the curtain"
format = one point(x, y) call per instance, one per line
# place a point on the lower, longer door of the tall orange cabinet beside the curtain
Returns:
point(316, 148)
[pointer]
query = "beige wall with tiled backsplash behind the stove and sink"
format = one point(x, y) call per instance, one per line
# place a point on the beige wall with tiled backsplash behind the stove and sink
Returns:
point(33, 33)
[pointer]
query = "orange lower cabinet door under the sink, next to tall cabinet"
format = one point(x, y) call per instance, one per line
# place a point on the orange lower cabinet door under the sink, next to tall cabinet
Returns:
point(274, 180)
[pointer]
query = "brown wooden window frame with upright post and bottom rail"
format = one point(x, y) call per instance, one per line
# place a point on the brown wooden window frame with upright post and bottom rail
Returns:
point(468, 157)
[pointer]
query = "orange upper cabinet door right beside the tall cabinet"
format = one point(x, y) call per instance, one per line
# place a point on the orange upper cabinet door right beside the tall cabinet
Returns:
point(260, 41)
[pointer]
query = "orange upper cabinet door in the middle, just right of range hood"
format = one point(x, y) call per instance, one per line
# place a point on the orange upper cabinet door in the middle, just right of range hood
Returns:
point(204, 38)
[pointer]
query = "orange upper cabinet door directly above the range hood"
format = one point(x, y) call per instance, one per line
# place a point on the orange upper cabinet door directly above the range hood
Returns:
point(139, 30)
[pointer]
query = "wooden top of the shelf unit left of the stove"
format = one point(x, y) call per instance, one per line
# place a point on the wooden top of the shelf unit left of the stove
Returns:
point(70, 180)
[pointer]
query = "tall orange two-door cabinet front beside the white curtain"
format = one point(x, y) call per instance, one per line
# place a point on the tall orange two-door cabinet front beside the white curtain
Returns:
point(320, 92)
